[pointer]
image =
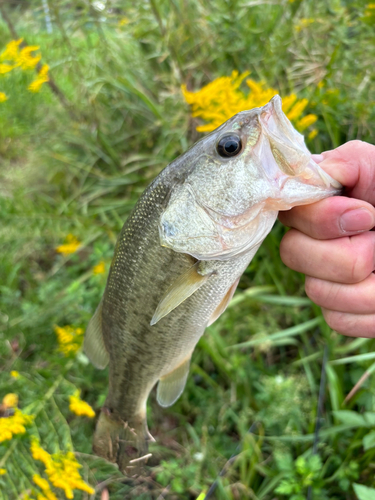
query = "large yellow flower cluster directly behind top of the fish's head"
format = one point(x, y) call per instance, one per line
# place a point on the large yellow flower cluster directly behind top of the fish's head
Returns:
point(221, 99)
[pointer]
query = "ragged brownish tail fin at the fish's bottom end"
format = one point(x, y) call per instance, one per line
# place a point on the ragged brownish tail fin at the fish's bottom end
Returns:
point(121, 442)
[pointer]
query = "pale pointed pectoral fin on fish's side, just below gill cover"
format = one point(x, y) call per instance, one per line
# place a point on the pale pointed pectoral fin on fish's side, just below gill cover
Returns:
point(188, 283)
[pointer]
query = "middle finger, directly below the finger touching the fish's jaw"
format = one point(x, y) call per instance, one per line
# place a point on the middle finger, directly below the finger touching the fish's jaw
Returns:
point(344, 260)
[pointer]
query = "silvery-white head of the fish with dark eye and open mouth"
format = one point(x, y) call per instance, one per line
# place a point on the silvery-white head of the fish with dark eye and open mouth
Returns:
point(235, 180)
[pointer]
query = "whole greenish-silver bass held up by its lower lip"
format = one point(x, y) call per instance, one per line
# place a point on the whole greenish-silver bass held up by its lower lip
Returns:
point(178, 261)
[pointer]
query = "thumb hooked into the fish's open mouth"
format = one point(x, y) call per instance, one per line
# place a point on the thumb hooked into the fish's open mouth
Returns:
point(352, 164)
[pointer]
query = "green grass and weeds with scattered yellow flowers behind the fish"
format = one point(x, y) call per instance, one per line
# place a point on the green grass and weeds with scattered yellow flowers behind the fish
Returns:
point(82, 132)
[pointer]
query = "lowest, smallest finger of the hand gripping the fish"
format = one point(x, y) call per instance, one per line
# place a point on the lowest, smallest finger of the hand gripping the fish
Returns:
point(353, 325)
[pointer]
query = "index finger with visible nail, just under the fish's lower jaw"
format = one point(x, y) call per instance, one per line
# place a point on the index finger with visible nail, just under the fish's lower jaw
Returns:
point(331, 218)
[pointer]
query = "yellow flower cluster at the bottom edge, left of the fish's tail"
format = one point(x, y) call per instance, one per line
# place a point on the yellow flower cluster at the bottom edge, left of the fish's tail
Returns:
point(62, 471)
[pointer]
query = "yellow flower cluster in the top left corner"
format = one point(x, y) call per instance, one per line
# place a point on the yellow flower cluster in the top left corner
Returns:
point(22, 58)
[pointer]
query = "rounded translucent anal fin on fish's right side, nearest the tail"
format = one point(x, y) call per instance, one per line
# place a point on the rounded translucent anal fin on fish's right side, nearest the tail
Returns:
point(171, 386)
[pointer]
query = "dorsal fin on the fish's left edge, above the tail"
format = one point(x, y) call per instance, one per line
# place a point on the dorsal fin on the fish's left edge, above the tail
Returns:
point(93, 344)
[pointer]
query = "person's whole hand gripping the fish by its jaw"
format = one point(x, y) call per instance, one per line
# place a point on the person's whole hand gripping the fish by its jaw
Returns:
point(332, 242)
